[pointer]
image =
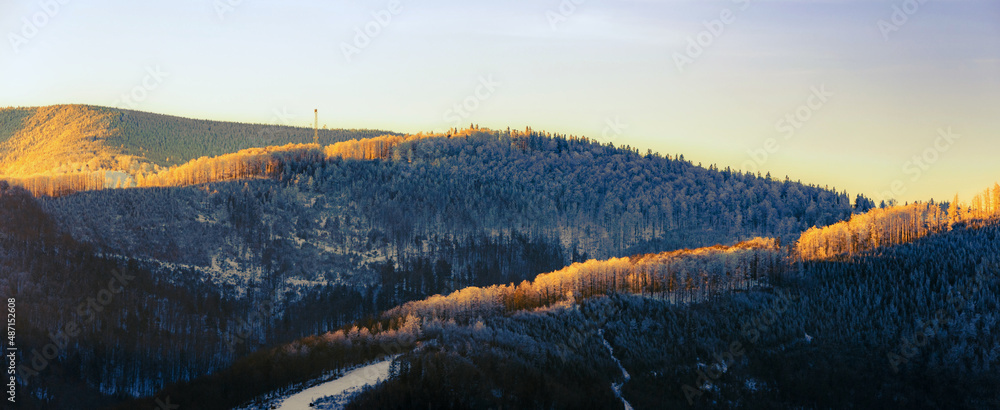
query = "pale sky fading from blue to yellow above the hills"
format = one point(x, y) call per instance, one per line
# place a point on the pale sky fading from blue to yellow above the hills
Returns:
point(891, 99)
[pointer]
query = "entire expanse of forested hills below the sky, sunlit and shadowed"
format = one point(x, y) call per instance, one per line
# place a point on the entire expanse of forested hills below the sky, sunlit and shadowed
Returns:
point(218, 265)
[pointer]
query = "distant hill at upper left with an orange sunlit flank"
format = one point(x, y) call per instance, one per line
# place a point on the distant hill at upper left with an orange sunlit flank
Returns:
point(80, 138)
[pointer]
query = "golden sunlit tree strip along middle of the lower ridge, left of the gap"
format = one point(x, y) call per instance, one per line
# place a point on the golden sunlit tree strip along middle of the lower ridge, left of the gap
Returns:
point(683, 276)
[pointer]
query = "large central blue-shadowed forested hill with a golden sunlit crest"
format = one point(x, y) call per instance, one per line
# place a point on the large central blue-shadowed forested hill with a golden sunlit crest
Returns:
point(420, 216)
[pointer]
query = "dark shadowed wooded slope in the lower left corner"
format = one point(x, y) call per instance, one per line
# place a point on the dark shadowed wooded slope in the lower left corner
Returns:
point(56, 281)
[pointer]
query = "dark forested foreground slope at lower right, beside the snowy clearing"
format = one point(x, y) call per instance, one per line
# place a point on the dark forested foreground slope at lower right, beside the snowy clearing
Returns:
point(865, 331)
